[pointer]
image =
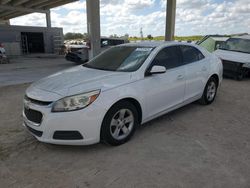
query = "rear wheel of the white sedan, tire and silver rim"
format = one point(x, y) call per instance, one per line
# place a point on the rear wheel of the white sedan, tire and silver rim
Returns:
point(210, 92)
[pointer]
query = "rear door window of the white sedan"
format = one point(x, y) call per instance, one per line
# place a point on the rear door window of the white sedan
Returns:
point(191, 54)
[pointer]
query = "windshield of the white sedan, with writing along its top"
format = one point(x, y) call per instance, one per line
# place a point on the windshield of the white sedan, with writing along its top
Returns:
point(120, 58)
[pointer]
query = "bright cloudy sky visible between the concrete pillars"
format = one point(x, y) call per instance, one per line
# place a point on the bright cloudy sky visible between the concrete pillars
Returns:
point(193, 17)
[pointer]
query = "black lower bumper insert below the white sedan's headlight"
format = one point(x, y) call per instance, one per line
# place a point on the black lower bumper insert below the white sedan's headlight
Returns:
point(67, 135)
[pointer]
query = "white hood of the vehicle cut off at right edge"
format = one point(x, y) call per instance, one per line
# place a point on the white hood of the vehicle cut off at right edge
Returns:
point(233, 56)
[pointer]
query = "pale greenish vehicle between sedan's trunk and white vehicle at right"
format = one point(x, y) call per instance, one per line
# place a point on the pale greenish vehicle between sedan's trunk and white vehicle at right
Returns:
point(212, 42)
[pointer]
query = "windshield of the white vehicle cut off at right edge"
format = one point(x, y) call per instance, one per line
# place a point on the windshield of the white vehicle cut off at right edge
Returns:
point(238, 45)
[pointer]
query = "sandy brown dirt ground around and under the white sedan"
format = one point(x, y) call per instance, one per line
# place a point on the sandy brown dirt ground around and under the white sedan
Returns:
point(195, 146)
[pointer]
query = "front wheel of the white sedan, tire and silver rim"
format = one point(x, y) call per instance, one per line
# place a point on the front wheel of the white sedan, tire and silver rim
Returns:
point(119, 123)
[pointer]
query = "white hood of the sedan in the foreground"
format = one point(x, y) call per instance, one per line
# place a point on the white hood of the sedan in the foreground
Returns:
point(76, 80)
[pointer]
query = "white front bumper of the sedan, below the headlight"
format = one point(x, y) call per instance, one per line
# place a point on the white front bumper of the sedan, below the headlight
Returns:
point(87, 122)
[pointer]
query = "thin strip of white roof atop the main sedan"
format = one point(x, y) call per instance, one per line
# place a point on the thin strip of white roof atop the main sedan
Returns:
point(154, 44)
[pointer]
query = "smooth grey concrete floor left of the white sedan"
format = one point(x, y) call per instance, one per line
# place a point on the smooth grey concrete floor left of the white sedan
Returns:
point(29, 69)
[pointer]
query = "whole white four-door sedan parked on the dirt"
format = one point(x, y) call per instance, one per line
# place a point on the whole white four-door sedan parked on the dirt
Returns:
point(108, 97)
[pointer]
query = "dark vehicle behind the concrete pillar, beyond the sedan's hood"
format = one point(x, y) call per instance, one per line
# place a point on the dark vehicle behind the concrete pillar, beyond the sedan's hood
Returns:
point(79, 53)
